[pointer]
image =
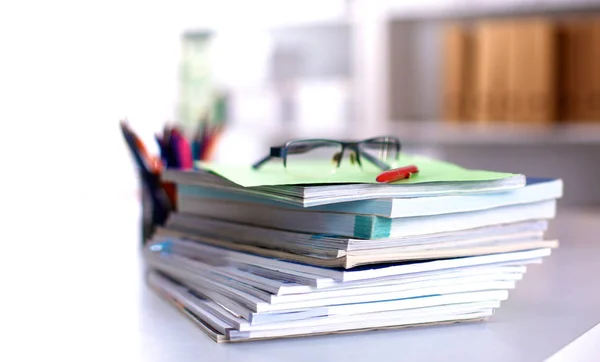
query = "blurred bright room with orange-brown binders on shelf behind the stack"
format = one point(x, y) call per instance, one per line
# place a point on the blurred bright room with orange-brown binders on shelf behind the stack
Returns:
point(494, 84)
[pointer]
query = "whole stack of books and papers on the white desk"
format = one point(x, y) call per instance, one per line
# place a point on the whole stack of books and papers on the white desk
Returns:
point(253, 255)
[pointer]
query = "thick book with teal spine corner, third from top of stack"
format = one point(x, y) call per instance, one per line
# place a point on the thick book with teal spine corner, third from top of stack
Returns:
point(365, 226)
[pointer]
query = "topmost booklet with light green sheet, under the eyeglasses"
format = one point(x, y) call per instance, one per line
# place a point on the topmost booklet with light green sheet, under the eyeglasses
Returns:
point(349, 184)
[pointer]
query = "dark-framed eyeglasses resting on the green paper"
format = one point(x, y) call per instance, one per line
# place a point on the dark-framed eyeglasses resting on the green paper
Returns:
point(322, 155)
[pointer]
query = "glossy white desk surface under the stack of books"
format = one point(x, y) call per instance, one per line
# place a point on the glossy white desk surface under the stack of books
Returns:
point(96, 306)
